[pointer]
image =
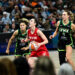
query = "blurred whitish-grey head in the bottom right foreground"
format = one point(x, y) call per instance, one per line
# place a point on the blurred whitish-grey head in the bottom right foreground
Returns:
point(65, 69)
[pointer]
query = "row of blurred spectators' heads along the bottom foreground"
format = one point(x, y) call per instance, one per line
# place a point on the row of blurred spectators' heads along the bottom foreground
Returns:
point(43, 66)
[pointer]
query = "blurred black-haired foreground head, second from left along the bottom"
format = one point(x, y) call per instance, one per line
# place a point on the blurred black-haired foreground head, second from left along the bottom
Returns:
point(22, 66)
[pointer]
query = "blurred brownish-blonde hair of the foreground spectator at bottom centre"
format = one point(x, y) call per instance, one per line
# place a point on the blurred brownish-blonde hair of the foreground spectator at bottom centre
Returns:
point(44, 66)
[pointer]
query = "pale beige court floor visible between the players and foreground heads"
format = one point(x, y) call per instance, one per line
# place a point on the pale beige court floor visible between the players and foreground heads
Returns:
point(53, 56)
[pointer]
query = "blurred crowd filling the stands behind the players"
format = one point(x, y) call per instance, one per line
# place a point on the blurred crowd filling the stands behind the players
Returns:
point(47, 12)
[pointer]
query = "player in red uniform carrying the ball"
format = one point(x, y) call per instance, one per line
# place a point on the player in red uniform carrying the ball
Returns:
point(34, 34)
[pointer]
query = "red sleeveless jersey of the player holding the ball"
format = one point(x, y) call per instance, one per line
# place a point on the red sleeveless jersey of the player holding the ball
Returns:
point(37, 38)
